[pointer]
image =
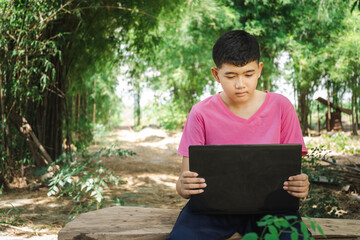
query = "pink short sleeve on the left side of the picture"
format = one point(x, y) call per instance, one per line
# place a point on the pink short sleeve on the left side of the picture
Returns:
point(193, 134)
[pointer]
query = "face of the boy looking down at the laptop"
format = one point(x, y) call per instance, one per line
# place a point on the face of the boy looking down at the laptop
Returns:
point(238, 83)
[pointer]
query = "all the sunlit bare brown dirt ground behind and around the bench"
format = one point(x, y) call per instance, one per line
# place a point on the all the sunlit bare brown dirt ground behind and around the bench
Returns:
point(151, 177)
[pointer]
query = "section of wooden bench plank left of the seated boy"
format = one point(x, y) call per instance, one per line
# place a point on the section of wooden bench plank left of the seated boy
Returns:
point(121, 223)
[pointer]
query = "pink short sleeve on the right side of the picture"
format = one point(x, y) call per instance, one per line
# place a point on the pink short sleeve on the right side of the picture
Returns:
point(290, 127)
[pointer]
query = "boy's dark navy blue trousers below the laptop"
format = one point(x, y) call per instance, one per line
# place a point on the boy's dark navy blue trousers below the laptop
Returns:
point(191, 226)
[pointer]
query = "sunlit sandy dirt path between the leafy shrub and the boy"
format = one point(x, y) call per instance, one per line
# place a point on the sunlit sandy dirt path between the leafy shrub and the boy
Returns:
point(152, 173)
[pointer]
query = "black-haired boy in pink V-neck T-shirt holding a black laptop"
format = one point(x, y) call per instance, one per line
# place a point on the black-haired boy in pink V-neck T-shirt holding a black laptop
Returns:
point(239, 114)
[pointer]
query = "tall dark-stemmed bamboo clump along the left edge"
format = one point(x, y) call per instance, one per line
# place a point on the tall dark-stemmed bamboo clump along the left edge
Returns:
point(52, 54)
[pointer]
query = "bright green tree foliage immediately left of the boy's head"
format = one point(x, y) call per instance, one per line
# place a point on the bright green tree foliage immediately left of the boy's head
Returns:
point(183, 54)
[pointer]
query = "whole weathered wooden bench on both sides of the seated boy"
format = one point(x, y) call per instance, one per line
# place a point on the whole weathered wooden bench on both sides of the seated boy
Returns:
point(155, 224)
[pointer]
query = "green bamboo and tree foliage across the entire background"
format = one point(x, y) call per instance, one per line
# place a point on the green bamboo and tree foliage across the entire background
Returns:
point(59, 62)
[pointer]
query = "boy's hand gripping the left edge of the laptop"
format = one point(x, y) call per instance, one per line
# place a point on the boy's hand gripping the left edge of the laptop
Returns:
point(190, 184)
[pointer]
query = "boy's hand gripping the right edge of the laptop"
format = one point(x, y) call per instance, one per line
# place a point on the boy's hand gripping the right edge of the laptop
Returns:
point(297, 186)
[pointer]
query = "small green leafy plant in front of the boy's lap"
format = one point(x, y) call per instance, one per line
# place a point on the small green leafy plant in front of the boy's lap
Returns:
point(274, 227)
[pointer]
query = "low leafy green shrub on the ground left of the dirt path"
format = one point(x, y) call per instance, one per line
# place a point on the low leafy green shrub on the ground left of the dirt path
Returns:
point(84, 178)
